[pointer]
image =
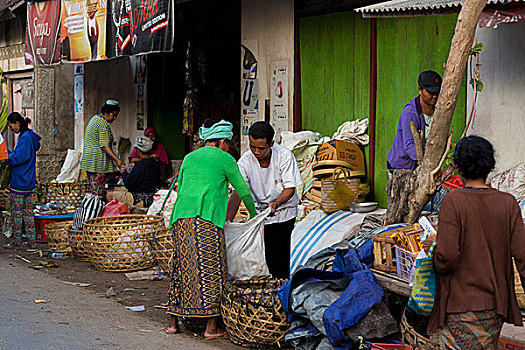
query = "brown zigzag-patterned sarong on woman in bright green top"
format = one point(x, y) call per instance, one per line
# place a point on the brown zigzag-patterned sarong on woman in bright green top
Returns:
point(198, 269)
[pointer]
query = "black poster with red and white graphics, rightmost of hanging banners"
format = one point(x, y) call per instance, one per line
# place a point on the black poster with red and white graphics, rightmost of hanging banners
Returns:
point(139, 26)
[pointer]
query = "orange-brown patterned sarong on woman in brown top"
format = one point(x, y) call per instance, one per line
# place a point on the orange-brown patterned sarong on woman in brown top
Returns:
point(472, 330)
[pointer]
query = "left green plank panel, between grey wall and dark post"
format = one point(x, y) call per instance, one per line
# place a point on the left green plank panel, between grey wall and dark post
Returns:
point(335, 70)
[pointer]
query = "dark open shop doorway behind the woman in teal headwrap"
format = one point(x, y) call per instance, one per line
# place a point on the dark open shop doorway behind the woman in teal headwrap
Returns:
point(207, 53)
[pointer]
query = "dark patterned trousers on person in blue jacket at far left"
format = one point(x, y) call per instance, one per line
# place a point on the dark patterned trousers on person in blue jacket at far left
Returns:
point(22, 216)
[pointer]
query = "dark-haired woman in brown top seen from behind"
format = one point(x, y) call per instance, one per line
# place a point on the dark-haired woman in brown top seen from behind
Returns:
point(480, 231)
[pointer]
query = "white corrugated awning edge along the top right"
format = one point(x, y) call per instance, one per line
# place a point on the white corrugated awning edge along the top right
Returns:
point(418, 7)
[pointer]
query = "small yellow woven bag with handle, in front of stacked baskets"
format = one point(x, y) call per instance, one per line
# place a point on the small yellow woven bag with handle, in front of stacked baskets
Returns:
point(338, 193)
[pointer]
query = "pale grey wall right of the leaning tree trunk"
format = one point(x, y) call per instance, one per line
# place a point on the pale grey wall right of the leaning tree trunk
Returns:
point(500, 115)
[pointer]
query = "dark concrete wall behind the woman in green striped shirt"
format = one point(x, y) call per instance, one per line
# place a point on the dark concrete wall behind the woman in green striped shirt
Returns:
point(112, 79)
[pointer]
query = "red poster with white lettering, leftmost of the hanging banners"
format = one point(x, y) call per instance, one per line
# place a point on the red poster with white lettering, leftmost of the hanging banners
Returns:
point(42, 32)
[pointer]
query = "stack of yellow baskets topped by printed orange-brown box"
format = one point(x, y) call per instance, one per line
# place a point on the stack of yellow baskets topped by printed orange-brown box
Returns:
point(337, 154)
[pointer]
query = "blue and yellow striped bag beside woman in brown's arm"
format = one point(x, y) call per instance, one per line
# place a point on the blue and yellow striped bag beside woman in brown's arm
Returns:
point(423, 295)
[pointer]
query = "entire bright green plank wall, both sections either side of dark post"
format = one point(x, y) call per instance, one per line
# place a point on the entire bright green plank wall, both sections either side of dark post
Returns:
point(335, 74)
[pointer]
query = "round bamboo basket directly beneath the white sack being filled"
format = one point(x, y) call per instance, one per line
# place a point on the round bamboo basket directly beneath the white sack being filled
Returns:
point(252, 313)
